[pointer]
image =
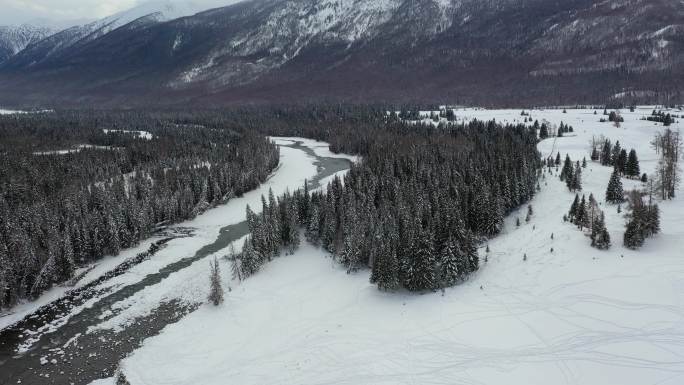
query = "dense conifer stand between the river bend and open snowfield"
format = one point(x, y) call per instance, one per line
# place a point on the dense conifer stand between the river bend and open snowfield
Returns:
point(416, 208)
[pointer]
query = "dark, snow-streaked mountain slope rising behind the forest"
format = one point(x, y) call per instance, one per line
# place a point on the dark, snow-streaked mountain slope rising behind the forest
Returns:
point(468, 51)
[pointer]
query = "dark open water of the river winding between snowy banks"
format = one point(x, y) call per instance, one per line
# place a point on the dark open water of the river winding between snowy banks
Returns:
point(96, 355)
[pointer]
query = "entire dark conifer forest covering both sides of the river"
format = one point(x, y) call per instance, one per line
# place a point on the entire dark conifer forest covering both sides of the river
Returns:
point(78, 185)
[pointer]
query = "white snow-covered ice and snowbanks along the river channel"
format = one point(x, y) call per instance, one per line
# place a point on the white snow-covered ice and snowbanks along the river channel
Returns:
point(295, 167)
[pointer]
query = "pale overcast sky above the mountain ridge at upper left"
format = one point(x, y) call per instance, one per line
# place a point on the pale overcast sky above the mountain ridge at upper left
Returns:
point(66, 11)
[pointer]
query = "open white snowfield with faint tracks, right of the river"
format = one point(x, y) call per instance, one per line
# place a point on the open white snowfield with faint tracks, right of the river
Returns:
point(576, 315)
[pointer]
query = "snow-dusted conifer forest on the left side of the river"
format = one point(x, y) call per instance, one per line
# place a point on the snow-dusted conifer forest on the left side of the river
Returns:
point(71, 193)
